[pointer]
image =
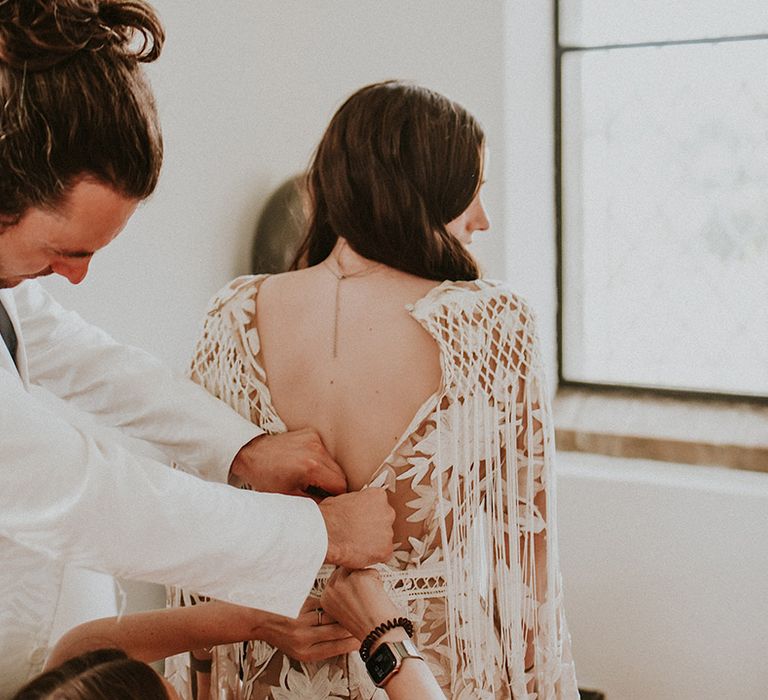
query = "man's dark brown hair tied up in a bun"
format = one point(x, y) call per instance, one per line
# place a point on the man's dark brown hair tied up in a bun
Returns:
point(75, 101)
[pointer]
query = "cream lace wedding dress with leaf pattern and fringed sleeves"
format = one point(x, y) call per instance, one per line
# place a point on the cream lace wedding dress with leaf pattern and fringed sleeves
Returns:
point(472, 483)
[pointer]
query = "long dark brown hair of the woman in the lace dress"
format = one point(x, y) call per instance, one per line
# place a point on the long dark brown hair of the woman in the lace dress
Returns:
point(395, 165)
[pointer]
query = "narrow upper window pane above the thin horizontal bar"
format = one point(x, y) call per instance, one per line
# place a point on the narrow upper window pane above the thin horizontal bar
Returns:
point(601, 22)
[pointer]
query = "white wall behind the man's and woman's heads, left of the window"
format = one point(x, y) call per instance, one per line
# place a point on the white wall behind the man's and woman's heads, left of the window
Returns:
point(245, 90)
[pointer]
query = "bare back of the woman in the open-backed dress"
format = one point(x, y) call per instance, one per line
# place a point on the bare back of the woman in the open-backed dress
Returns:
point(386, 364)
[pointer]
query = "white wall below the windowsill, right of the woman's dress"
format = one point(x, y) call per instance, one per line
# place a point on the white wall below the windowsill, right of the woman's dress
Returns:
point(665, 570)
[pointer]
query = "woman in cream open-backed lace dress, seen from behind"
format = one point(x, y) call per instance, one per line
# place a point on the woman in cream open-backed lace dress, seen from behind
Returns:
point(420, 377)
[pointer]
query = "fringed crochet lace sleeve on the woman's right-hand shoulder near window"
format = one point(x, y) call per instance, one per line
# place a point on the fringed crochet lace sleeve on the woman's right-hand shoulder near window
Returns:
point(497, 495)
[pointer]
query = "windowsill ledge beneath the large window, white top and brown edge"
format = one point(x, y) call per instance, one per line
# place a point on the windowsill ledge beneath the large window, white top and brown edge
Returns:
point(686, 431)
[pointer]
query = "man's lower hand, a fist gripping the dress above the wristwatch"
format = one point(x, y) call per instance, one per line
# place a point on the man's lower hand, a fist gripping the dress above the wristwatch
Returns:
point(359, 527)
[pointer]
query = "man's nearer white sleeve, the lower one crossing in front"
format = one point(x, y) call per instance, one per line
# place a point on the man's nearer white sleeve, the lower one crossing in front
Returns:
point(73, 497)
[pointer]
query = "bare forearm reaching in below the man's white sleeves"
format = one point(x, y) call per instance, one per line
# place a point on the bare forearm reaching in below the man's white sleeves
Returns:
point(157, 634)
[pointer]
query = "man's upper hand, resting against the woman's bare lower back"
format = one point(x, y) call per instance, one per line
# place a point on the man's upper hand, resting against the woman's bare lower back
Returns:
point(294, 463)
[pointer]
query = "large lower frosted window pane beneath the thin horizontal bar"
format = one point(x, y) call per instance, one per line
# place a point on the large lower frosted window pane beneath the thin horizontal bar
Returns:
point(665, 217)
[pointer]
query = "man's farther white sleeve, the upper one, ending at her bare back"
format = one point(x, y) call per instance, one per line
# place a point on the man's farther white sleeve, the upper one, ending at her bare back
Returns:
point(126, 388)
